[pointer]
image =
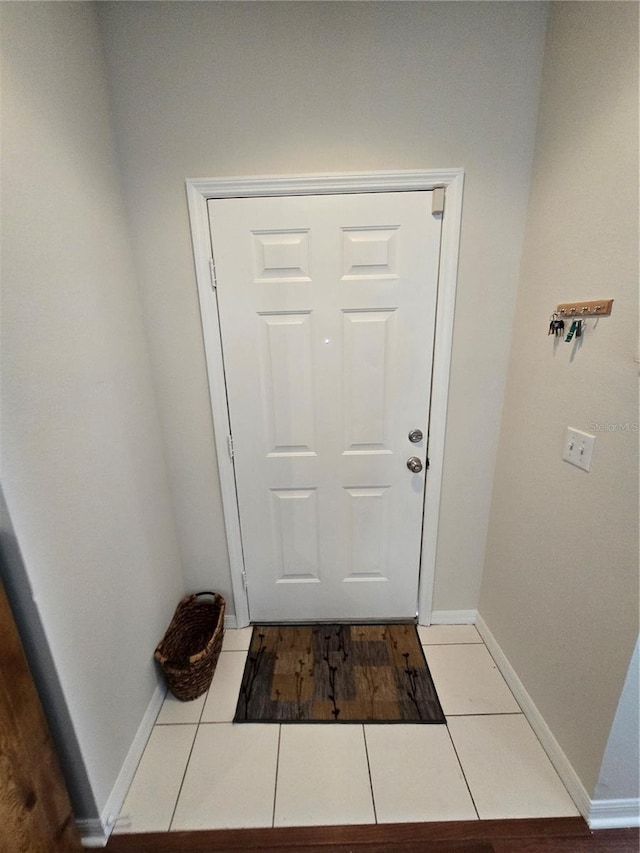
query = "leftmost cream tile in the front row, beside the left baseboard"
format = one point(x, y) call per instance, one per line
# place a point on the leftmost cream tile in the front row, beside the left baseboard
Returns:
point(153, 793)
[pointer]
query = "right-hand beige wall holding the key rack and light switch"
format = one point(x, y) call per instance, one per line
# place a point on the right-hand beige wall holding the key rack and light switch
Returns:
point(560, 587)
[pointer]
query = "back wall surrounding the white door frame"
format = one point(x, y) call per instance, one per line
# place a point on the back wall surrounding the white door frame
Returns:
point(220, 89)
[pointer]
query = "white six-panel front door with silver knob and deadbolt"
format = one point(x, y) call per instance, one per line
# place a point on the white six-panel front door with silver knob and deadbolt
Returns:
point(327, 311)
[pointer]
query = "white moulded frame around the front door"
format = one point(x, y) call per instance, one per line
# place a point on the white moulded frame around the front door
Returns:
point(199, 190)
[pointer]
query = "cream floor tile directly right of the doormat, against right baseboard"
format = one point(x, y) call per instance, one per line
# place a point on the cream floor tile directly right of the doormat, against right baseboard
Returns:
point(468, 681)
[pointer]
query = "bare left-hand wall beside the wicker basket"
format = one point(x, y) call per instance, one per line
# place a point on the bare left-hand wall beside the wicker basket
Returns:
point(82, 461)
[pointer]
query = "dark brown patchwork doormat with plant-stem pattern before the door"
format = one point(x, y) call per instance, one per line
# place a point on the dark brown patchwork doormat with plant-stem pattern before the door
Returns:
point(337, 674)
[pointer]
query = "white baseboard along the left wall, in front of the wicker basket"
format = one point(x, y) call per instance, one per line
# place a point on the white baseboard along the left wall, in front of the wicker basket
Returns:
point(95, 833)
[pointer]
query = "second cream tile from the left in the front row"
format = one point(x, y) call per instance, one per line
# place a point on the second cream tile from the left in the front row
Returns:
point(230, 780)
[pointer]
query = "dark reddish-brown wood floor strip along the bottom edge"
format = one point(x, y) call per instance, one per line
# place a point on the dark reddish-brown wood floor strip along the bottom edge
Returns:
point(557, 835)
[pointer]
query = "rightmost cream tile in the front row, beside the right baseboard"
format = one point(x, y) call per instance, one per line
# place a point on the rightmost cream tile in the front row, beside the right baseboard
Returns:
point(507, 770)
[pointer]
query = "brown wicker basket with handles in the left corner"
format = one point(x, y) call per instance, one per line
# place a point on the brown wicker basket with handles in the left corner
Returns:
point(189, 651)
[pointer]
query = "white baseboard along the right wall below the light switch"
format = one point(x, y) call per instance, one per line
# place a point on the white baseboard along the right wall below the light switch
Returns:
point(563, 767)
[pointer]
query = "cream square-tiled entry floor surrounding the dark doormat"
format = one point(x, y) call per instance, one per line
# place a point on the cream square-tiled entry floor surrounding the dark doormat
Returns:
point(199, 771)
